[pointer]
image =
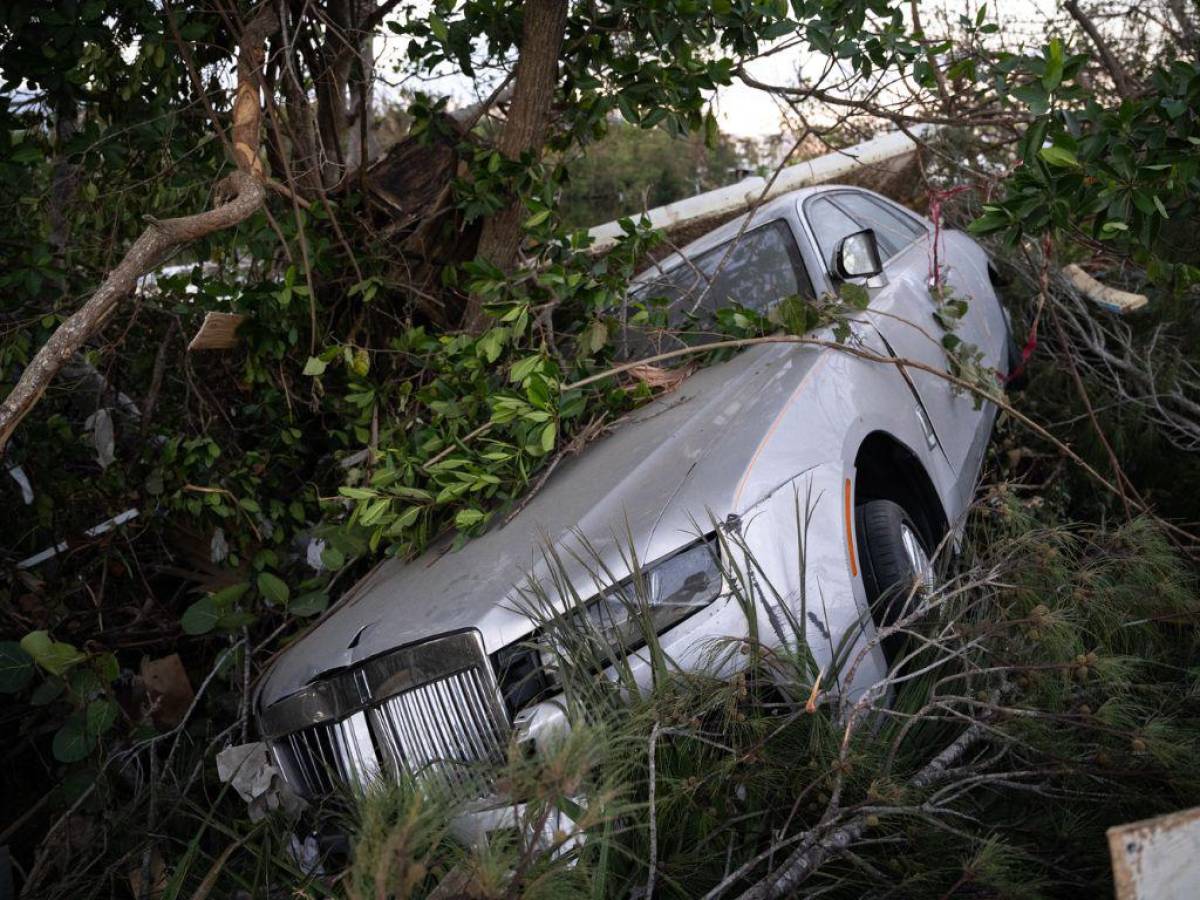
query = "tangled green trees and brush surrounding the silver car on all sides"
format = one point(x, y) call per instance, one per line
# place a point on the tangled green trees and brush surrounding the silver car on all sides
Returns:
point(403, 373)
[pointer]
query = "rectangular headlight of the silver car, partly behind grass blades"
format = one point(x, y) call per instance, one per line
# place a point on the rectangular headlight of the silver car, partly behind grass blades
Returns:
point(617, 620)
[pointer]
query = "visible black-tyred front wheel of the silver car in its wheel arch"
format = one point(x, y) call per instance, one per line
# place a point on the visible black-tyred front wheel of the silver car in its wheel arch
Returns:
point(892, 555)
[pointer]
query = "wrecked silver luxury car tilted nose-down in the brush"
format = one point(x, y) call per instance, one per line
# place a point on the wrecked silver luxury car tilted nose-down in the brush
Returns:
point(427, 668)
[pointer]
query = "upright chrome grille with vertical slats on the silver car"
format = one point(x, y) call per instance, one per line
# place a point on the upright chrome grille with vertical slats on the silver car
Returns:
point(431, 711)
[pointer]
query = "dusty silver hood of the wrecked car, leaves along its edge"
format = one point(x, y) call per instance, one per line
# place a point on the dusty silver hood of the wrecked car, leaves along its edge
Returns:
point(656, 483)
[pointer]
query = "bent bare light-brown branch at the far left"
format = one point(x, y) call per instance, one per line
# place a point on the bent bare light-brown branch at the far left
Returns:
point(238, 197)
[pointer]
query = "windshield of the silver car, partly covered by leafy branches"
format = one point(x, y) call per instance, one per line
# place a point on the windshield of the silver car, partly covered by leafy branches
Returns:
point(676, 305)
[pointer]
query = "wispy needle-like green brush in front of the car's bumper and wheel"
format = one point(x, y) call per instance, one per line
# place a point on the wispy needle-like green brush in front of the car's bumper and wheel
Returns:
point(1041, 691)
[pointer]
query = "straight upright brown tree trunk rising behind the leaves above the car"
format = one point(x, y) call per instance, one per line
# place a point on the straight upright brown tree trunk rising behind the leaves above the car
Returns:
point(525, 130)
